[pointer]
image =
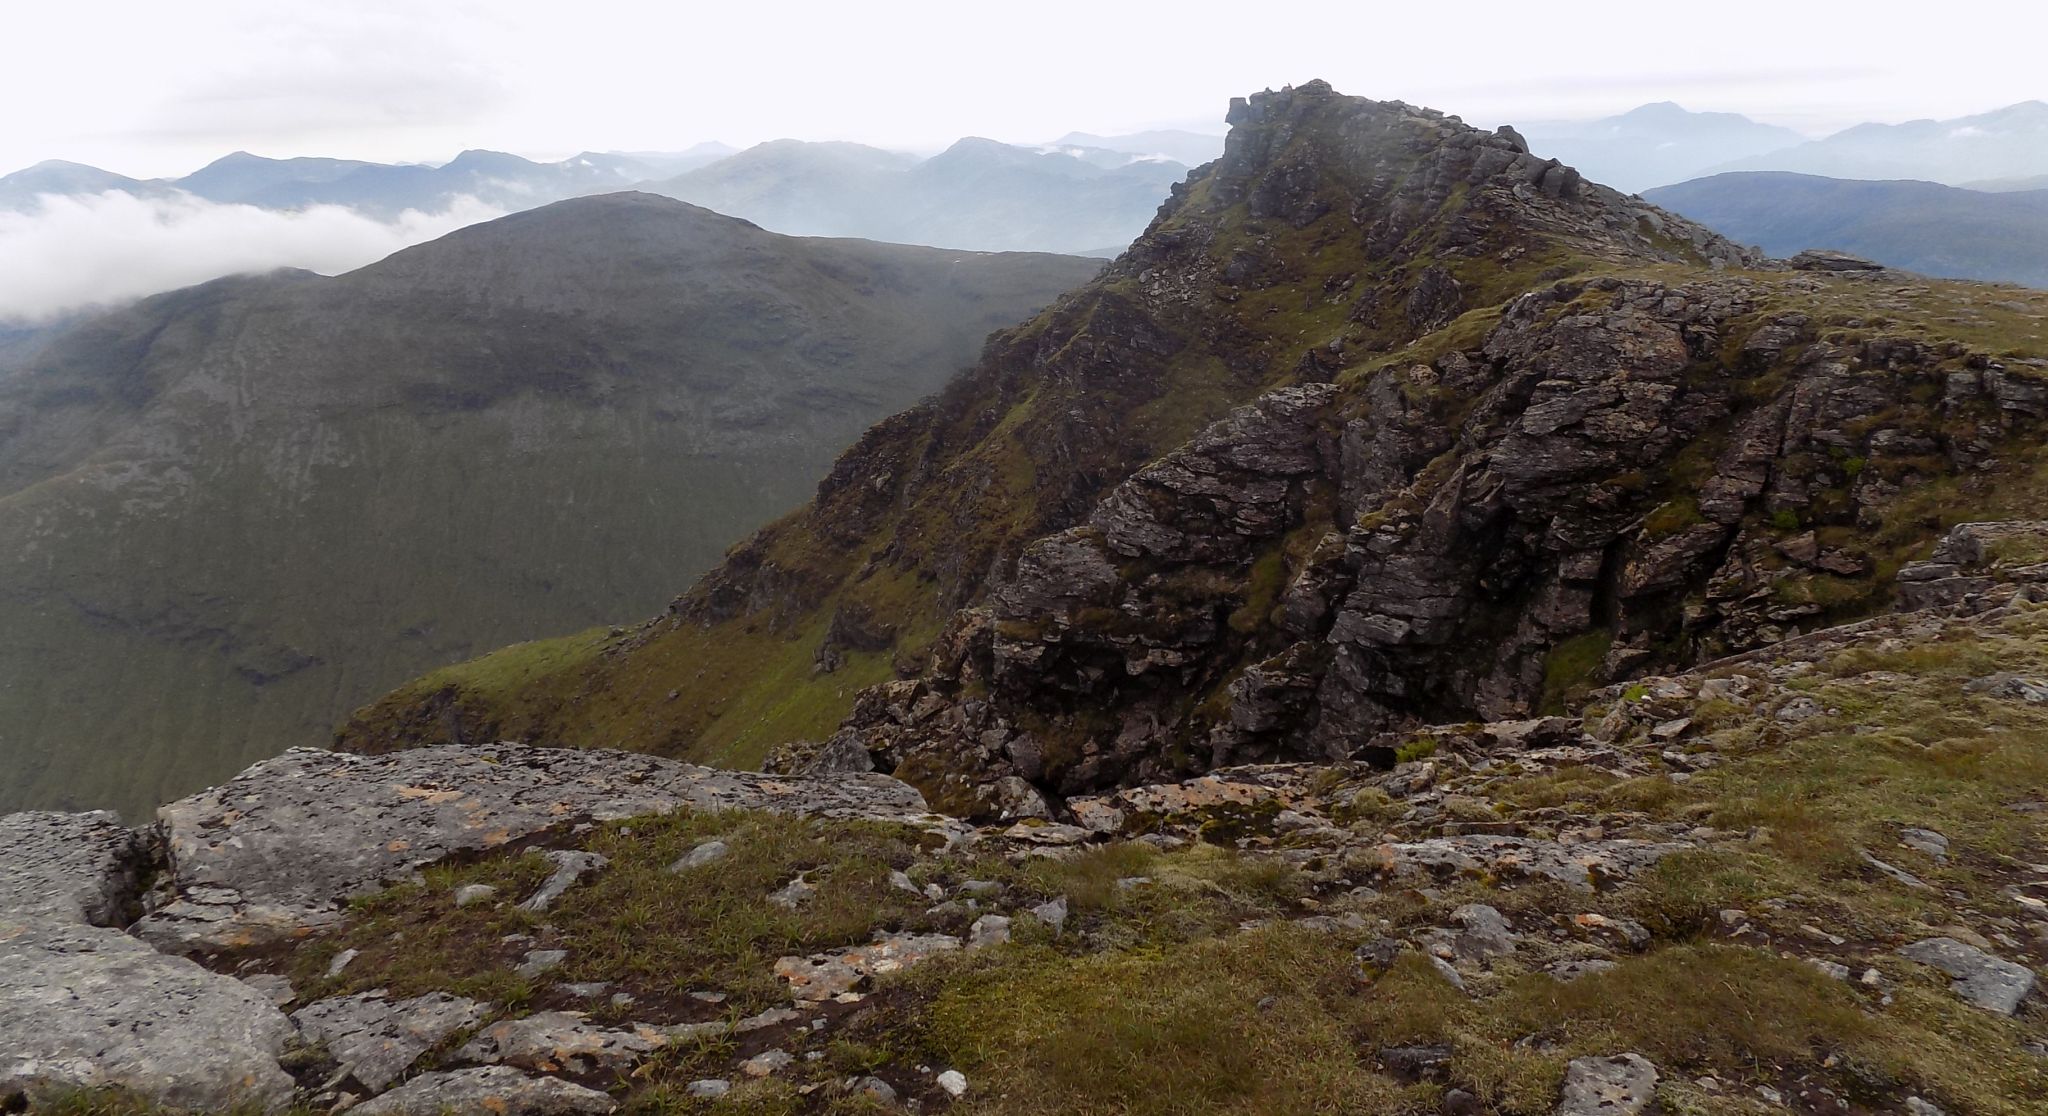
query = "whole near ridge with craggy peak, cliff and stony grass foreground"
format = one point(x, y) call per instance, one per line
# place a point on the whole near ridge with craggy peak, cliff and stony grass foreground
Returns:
point(1422, 634)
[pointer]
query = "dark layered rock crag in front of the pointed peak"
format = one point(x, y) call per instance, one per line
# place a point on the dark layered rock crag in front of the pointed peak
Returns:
point(1623, 476)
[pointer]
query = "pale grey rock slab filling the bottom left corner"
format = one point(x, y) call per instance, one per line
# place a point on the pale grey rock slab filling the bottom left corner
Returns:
point(85, 1006)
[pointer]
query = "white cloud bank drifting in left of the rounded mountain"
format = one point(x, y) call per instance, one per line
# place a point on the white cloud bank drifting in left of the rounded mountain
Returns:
point(110, 249)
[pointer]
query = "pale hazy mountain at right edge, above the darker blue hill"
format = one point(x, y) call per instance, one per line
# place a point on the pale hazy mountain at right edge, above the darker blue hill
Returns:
point(2004, 144)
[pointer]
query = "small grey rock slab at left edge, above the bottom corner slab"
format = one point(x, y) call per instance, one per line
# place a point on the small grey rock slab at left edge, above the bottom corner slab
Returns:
point(71, 867)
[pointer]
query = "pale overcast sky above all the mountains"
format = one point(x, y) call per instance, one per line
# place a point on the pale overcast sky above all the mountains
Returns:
point(148, 89)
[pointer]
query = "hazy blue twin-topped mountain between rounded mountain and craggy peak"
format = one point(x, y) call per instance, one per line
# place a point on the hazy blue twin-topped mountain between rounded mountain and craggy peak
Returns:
point(978, 194)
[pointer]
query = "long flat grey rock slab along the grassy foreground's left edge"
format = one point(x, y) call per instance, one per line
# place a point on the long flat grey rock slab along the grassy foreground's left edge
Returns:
point(286, 845)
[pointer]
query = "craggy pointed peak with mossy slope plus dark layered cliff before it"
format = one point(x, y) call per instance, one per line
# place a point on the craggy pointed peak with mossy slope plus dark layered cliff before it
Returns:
point(1385, 421)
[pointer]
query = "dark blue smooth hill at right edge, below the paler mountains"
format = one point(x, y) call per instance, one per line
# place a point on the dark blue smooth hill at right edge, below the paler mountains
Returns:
point(1916, 226)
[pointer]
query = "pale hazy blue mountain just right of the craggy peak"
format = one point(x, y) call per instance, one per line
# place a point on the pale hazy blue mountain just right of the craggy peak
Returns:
point(1656, 144)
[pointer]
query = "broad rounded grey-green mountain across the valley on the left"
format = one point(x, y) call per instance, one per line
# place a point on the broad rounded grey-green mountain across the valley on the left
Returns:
point(239, 511)
